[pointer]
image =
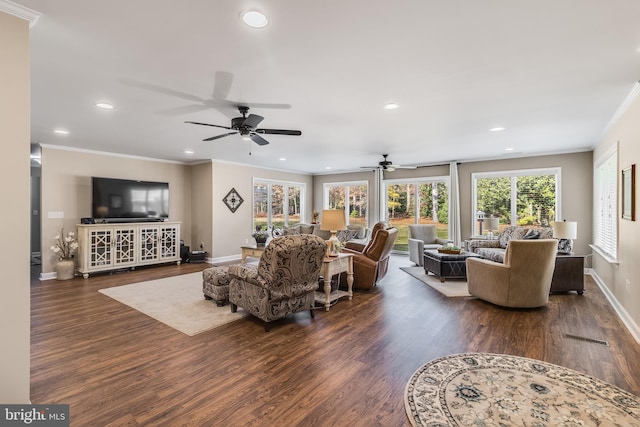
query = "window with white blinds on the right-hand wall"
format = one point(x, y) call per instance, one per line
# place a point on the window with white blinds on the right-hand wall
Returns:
point(605, 200)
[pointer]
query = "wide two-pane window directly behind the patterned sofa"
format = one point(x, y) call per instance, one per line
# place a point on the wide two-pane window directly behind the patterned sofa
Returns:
point(524, 198)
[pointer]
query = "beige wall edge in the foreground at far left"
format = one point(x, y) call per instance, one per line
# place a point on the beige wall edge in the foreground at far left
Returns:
point(14, 193)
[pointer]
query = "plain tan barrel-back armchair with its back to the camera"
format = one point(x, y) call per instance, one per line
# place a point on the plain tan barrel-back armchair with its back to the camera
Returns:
point(523, 281)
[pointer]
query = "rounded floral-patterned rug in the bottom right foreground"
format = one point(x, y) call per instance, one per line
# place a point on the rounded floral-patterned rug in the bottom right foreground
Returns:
point(499, 390)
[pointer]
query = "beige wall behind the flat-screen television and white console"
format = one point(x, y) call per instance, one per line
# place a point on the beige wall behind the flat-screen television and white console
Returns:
point(66, 187)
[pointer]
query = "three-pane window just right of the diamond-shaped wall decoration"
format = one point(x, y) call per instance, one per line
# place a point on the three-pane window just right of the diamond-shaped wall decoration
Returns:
point(277, 204)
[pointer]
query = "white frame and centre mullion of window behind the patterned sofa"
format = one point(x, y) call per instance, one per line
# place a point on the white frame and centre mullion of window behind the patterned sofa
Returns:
point(557, 171)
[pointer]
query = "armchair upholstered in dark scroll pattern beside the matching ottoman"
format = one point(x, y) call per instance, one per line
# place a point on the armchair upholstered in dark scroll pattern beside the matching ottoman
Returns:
point(283, 282)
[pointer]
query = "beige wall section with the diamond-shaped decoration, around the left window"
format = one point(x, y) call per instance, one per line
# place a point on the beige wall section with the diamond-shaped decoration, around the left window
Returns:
point(231, 230)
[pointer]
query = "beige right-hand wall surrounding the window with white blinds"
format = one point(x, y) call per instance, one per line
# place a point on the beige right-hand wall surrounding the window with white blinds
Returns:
point(622, 280)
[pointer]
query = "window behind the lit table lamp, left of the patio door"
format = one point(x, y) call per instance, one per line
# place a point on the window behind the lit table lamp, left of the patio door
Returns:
point(350, 196)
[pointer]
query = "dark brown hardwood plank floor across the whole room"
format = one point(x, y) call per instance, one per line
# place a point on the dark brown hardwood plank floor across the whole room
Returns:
point(115, 366)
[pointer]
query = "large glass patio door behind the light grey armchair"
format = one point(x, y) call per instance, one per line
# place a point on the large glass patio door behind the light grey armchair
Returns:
point(424, 201)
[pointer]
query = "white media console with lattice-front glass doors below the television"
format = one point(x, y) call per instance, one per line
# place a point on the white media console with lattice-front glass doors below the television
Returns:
point(104, 247)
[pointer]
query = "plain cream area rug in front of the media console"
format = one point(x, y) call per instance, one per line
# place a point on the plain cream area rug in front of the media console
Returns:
point(175, 301)
